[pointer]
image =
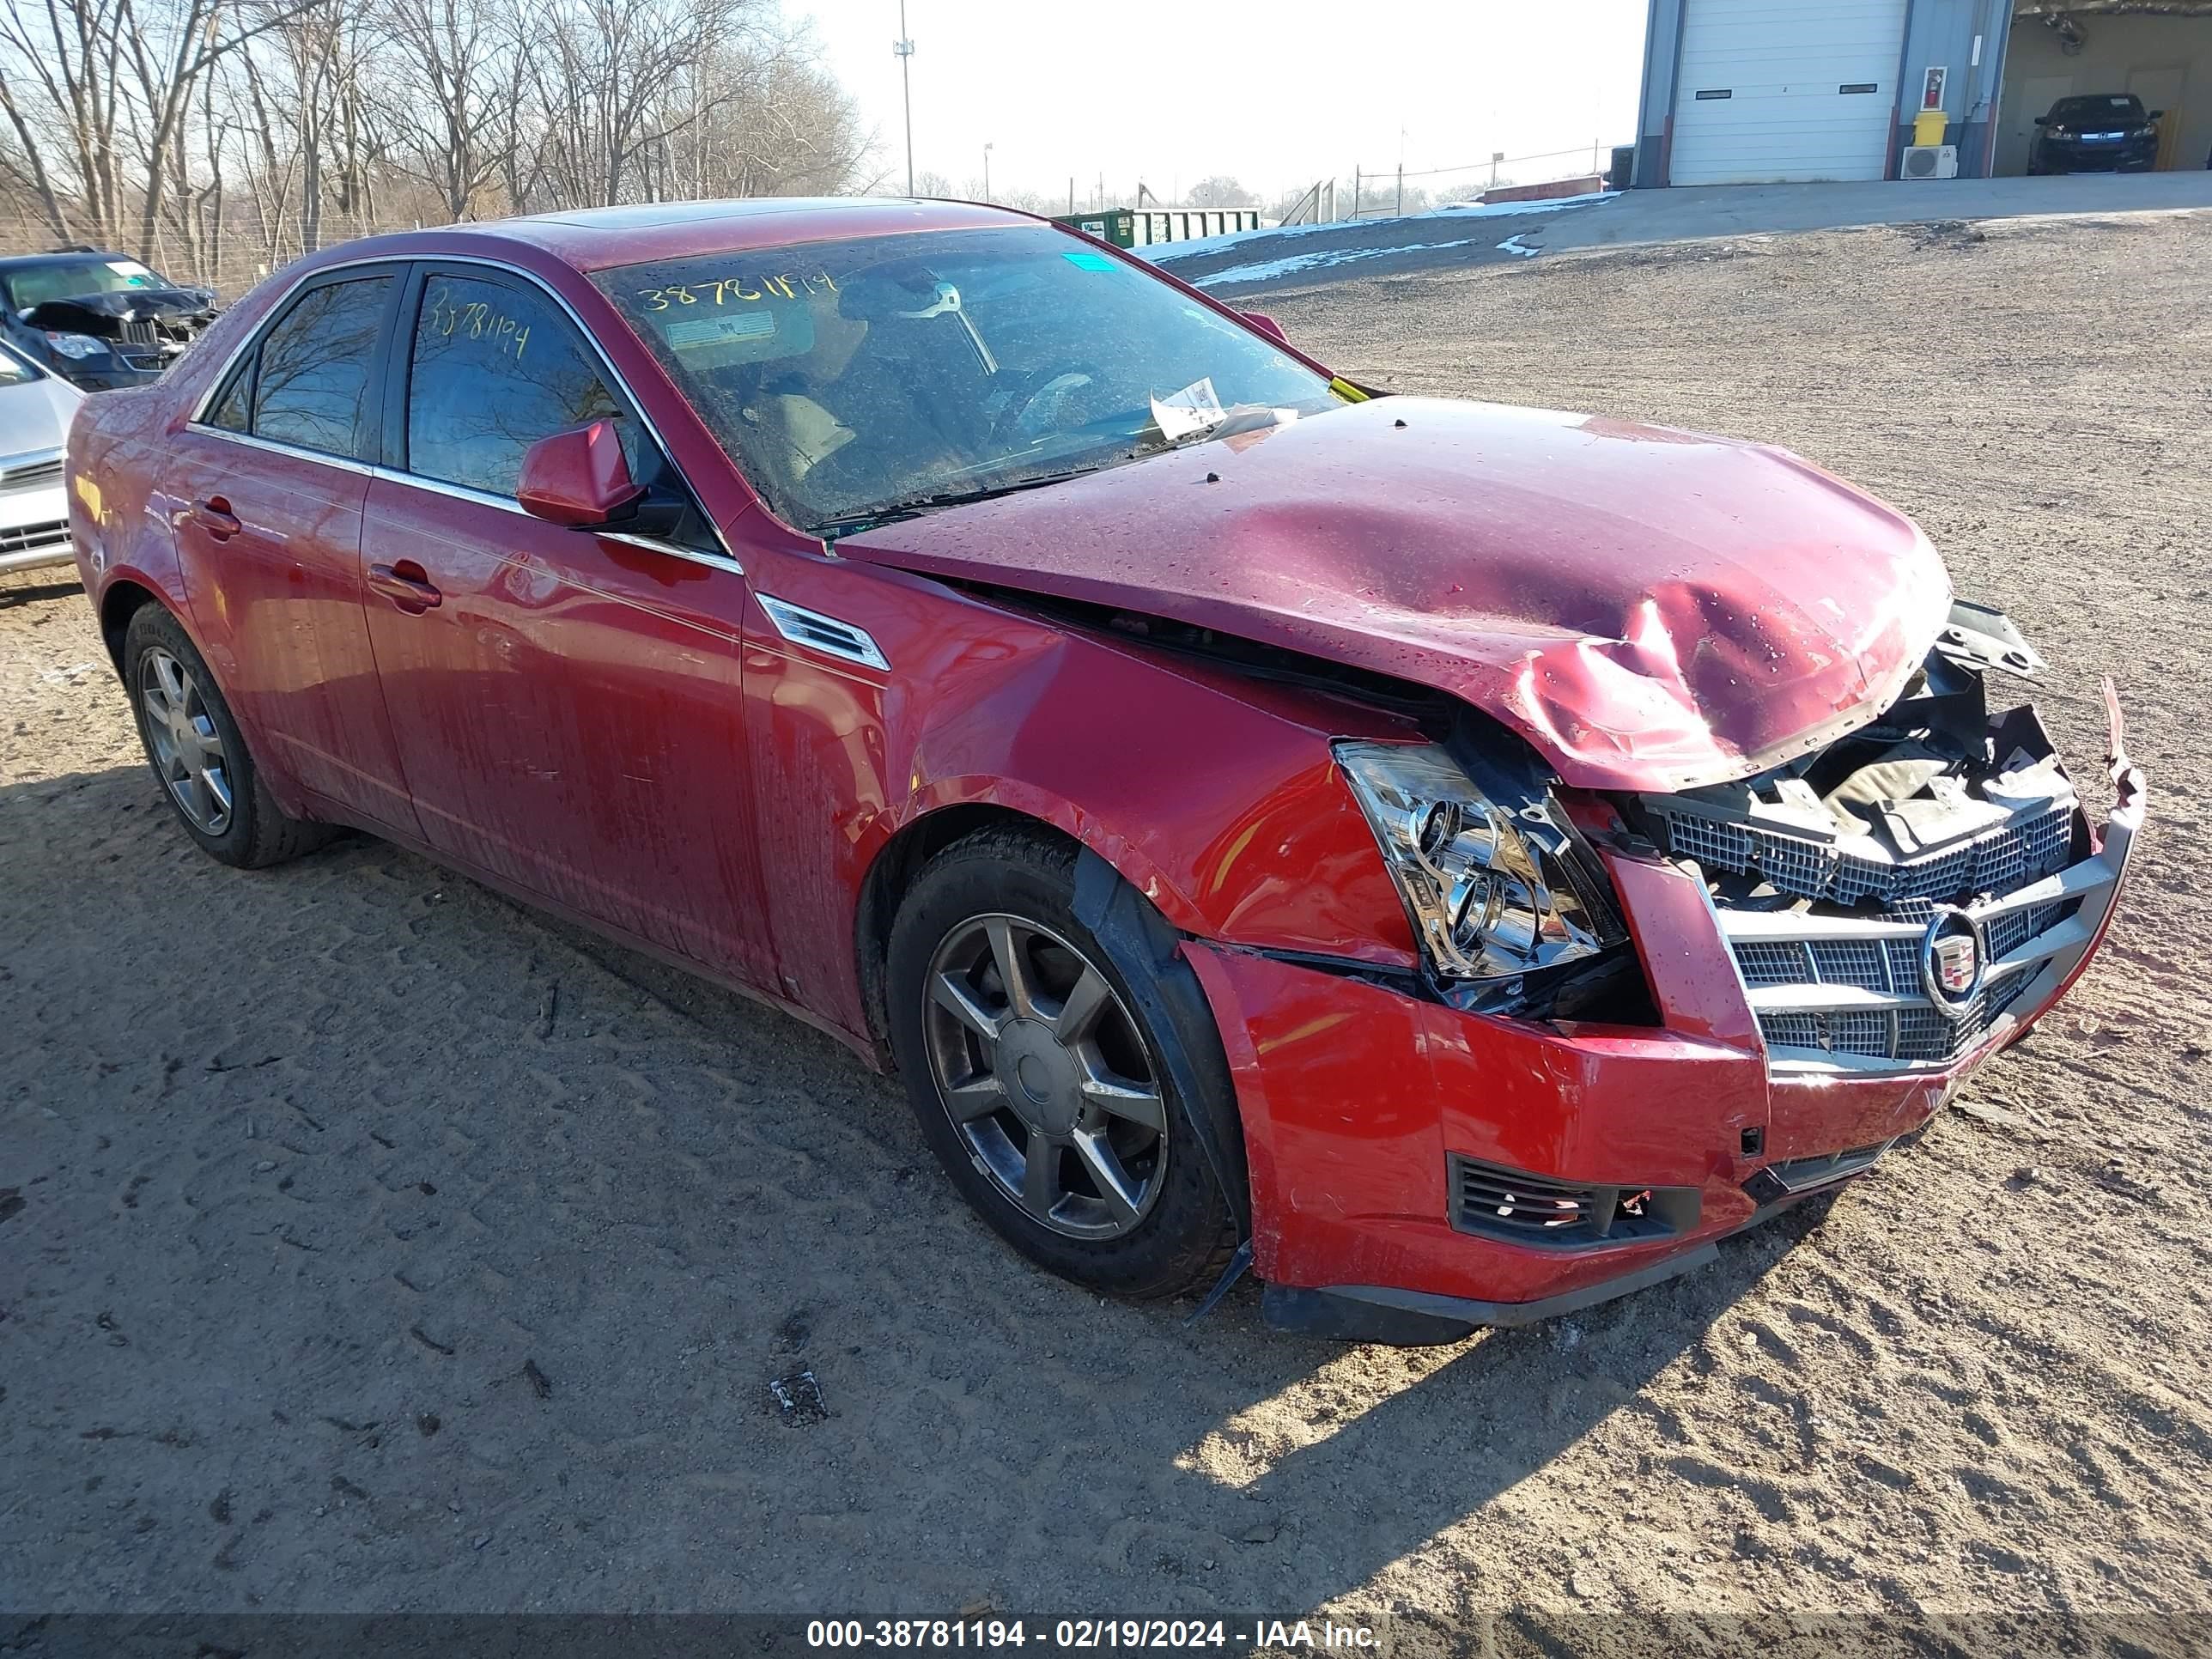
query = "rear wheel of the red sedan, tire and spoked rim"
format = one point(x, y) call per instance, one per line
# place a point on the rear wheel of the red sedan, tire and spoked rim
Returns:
point(200, 755)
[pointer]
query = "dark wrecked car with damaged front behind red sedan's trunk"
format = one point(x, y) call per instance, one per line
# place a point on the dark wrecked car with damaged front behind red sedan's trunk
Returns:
point(98, 320)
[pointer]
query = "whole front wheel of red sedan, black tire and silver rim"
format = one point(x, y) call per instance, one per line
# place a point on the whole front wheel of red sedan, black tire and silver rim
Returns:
point(1039, 1085)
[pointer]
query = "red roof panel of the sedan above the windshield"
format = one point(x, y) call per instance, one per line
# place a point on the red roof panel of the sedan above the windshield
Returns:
point(605, 238)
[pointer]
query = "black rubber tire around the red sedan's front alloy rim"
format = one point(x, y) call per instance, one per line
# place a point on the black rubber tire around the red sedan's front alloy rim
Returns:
point(1189, 1231)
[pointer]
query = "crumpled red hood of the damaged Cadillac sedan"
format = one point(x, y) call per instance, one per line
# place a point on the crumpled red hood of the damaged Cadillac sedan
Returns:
point(1651, 609)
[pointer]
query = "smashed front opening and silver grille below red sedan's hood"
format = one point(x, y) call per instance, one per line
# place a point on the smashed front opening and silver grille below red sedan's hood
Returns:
point(1890, 899)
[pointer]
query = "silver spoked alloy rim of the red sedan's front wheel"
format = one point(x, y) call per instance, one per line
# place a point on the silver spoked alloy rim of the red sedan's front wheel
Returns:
point(1045, 1076)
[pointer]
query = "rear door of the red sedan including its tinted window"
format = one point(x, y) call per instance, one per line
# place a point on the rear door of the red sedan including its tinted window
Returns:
point(267, 490)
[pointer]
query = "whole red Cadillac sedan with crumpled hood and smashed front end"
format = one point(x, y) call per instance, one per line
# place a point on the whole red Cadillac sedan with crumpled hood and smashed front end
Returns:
point(1457, 859)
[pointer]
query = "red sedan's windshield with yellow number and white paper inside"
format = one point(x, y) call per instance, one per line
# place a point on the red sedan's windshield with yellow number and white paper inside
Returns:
point(862, 379)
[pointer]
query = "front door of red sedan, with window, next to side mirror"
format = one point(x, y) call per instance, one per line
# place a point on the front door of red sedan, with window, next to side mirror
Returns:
point(567, 702)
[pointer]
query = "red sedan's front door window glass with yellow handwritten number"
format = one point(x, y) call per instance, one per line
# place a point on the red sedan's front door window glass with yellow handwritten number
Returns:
point(494, 371)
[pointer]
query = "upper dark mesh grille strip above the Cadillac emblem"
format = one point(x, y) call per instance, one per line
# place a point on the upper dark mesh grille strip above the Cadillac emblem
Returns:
point(1996, 862)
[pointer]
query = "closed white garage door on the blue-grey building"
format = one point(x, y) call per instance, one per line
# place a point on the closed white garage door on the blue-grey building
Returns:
point(1780, 92)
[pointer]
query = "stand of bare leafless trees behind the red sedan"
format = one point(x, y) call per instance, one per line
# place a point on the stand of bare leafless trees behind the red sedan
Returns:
point(238, 134)
